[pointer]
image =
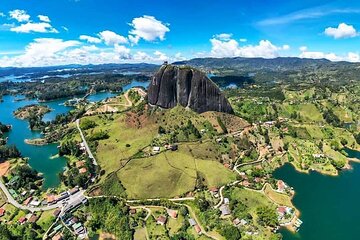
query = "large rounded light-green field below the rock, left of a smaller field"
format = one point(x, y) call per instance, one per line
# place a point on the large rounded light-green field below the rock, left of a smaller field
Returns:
point(163, 175)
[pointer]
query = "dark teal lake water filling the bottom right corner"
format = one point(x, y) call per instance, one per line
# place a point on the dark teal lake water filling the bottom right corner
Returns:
point(329, 206)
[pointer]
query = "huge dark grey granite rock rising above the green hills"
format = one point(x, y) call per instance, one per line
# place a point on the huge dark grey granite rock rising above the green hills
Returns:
point(188, 87)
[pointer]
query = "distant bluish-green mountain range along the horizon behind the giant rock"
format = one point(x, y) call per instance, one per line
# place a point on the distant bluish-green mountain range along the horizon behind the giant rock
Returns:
point(238, 63)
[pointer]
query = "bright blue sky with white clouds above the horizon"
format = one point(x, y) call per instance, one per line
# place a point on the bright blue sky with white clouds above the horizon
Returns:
point(45, 32)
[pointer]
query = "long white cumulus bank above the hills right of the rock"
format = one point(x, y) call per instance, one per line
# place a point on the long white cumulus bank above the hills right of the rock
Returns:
point(231, 48)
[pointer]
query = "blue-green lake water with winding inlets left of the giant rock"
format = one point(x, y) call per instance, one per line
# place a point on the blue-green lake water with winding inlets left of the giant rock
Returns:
point(40, 156)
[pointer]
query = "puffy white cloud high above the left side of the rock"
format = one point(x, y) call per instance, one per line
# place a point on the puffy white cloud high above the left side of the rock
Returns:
point(147, 28)
